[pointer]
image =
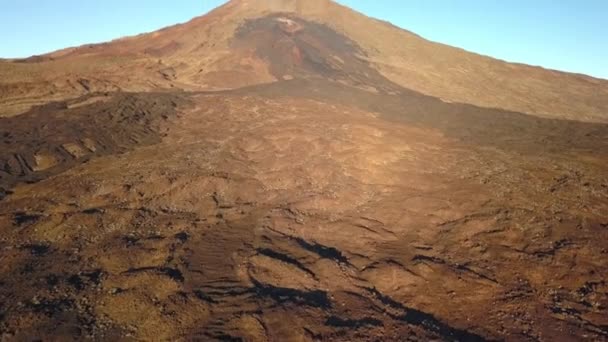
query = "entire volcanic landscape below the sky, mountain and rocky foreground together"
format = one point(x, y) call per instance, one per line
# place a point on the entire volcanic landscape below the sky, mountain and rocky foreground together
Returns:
point(290, 170)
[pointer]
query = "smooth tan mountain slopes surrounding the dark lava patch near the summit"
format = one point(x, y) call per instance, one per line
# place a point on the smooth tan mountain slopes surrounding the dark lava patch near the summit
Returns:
point(199, 55)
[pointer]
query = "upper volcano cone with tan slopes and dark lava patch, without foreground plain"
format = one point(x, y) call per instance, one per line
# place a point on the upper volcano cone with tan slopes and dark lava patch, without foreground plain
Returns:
point(204, 53)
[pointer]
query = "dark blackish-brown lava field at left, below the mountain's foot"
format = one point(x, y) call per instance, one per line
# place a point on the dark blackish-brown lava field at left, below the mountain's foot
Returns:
point(52, 138)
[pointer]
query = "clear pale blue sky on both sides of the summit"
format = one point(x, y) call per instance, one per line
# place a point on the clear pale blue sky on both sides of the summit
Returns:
point(570, 35)
